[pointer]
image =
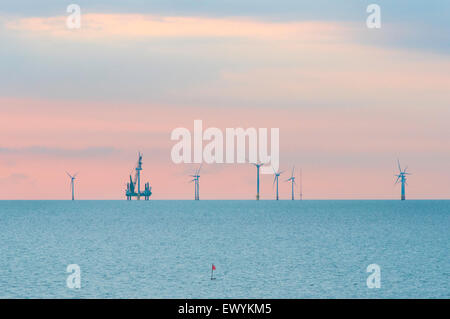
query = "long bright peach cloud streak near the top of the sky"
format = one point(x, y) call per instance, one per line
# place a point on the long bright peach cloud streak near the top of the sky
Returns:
point(139, 25)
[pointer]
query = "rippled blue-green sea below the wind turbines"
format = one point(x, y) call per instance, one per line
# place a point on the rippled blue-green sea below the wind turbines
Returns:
point(261, 249)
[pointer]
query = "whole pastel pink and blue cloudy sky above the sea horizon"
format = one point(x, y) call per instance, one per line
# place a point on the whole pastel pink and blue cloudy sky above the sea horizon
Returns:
point(348, 100)
